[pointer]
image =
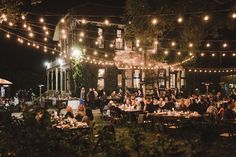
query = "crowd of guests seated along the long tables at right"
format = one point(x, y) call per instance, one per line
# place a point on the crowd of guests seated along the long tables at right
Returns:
point(218, 106)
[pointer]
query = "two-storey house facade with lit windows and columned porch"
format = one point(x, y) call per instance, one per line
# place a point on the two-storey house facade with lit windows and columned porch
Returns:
point(104, 40)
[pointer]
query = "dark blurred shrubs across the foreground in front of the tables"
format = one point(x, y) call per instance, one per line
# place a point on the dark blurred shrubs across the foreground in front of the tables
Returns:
point(35, 137)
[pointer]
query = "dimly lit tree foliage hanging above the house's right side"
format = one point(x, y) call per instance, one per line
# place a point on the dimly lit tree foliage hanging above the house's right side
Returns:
point(139, 15)
